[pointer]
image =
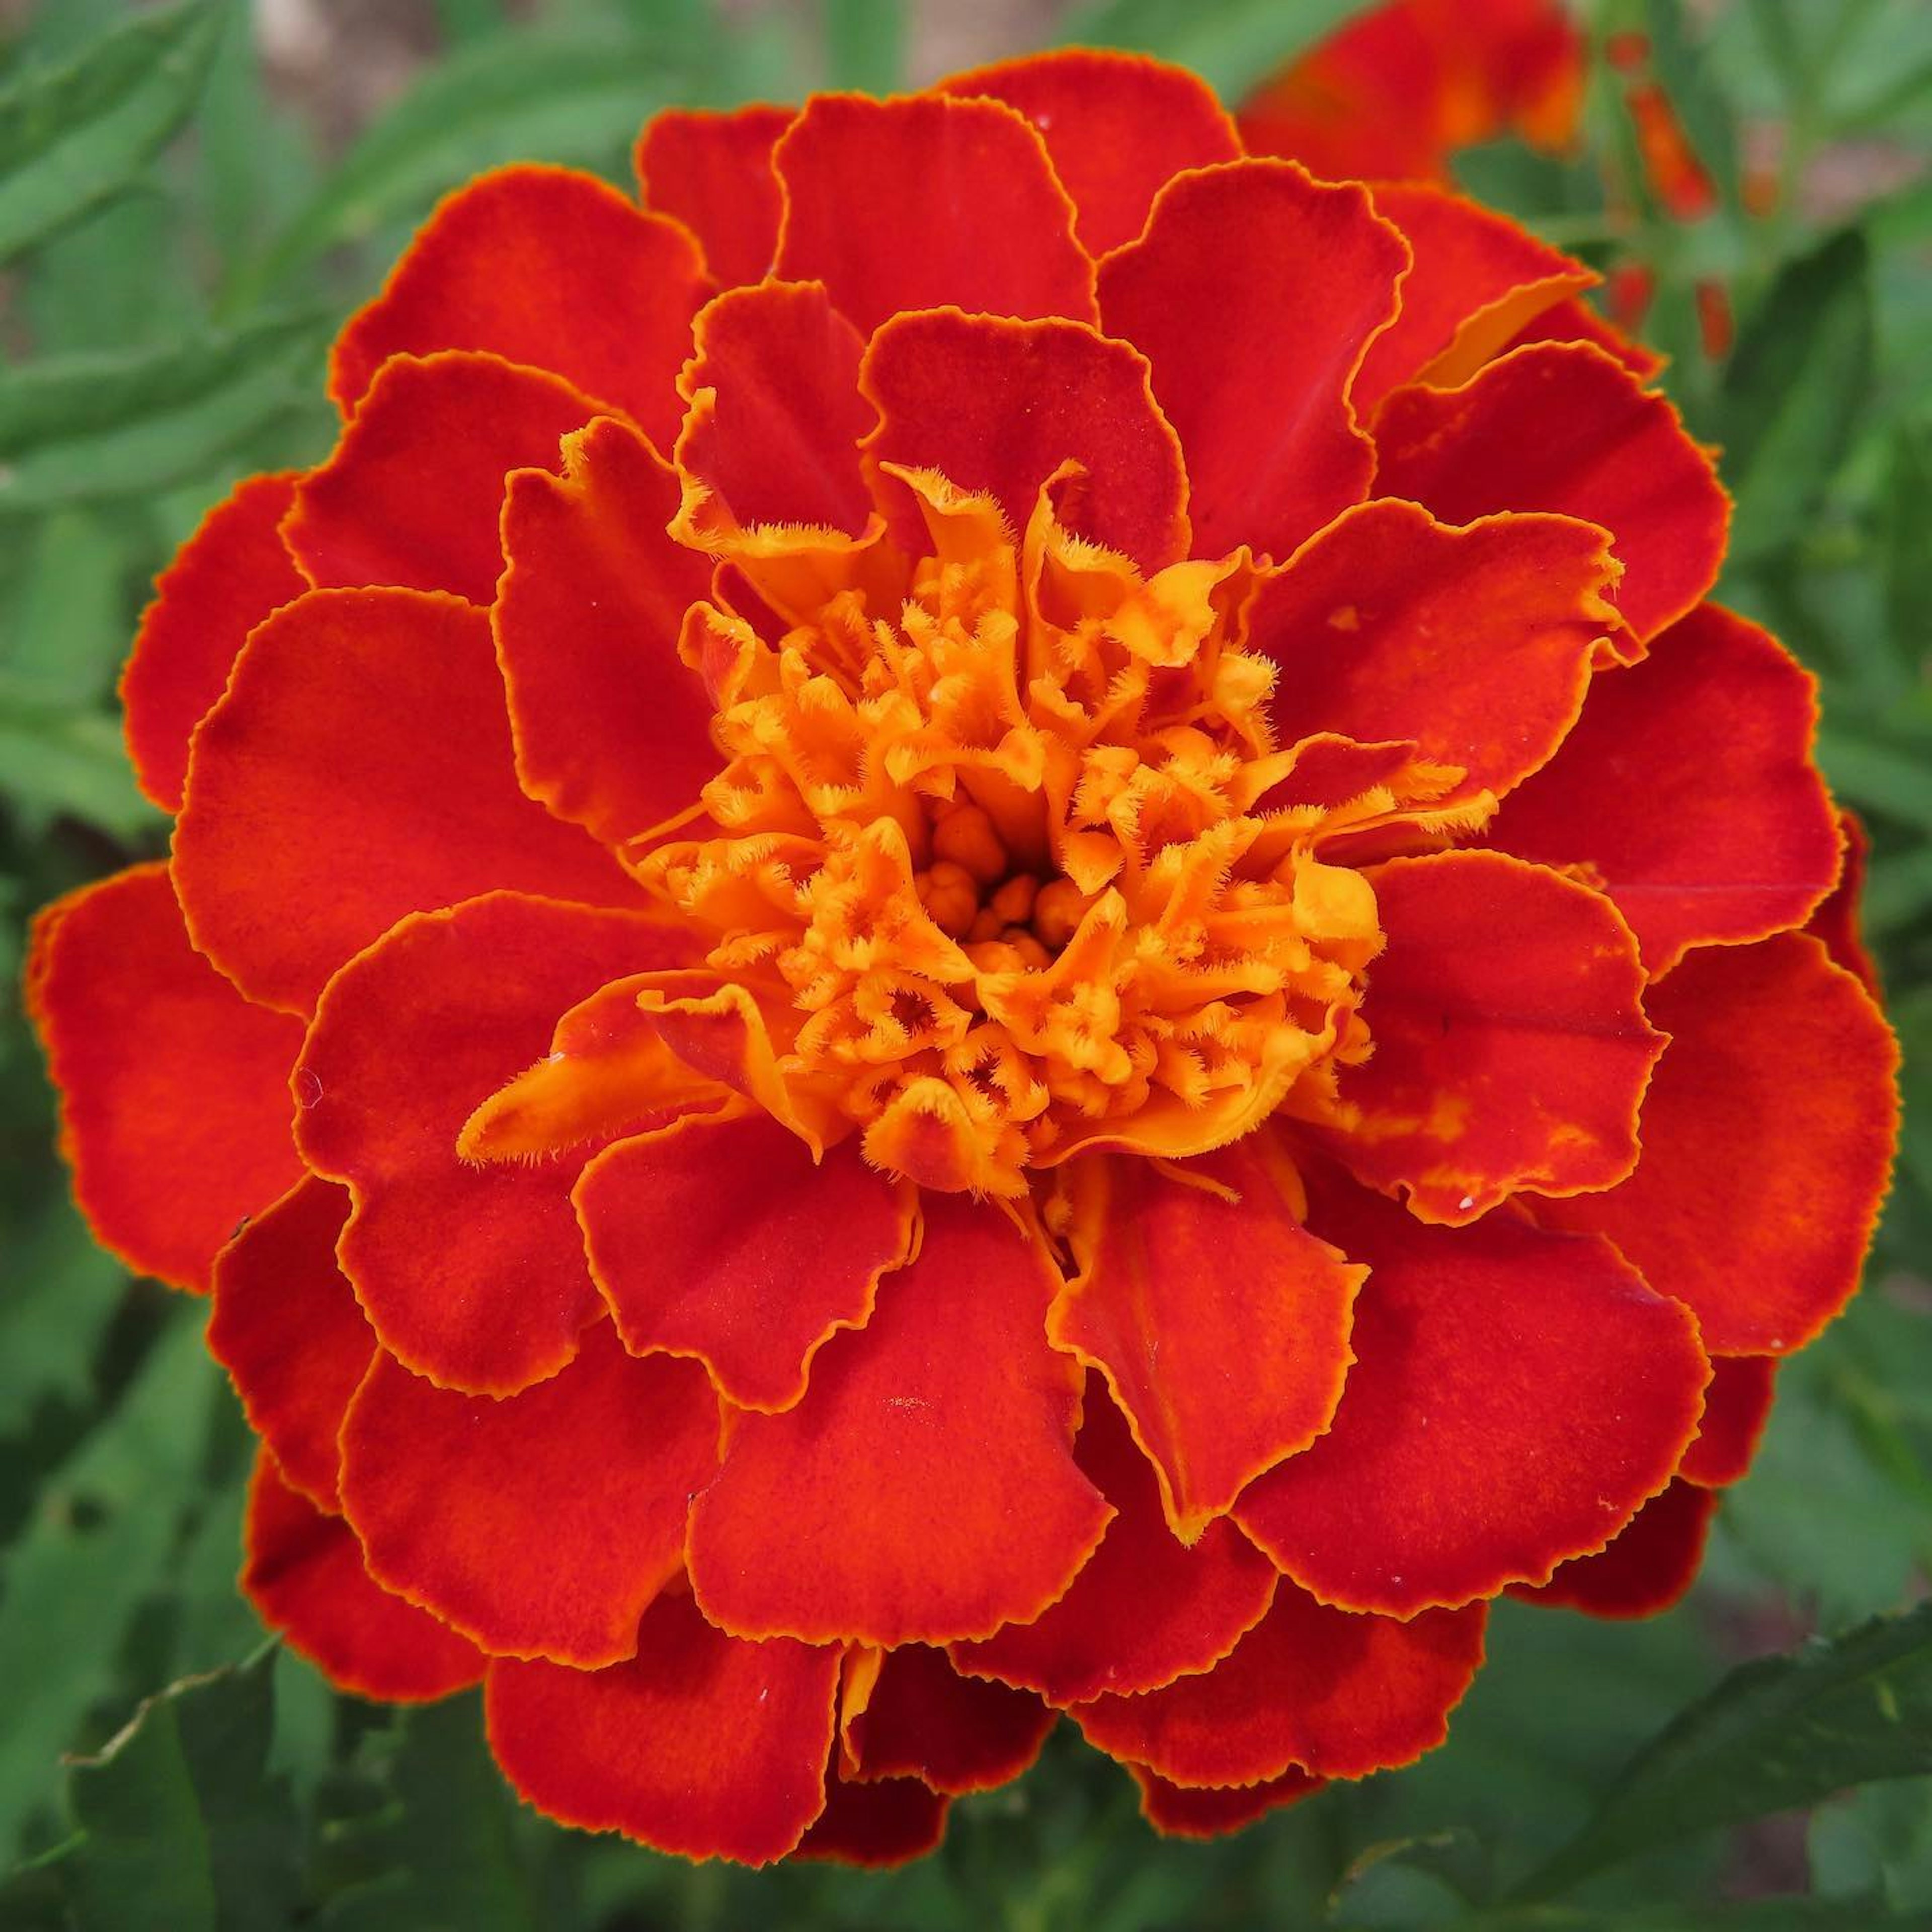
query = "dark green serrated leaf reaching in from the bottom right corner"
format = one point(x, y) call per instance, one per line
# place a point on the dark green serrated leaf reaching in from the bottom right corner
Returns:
point(1773, 1736)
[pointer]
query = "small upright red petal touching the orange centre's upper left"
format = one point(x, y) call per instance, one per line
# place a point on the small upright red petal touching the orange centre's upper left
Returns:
point(780, 440)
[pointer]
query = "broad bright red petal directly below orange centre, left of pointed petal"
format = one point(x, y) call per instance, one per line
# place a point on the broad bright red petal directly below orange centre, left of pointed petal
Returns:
point(934, 1423)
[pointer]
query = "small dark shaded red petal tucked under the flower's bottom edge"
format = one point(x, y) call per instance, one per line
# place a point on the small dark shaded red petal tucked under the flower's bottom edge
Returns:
point(955, 1734)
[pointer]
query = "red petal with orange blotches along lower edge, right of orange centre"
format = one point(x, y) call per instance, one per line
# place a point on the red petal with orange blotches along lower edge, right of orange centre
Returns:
point(1512, 1048)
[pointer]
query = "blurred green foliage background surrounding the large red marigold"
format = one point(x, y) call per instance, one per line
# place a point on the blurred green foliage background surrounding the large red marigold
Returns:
point(177, 258)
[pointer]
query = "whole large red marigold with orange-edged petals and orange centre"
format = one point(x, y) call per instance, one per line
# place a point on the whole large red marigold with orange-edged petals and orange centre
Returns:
point(1033, 957)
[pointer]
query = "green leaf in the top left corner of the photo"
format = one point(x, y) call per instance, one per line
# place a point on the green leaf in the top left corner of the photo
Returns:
point(78, 134)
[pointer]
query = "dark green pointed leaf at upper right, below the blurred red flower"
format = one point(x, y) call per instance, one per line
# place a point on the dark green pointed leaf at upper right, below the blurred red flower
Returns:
point(1796, 391)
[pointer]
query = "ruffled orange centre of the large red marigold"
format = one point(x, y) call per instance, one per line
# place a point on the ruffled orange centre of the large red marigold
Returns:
point(1009, 861)
